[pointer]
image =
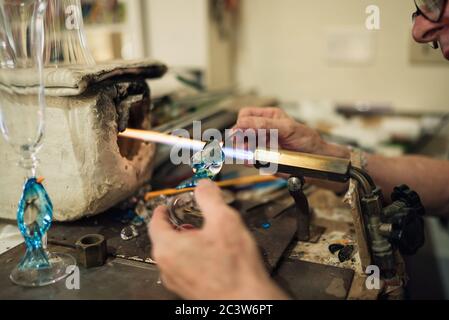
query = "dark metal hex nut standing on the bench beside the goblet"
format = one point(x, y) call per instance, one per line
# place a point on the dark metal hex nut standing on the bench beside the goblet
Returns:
point(91, 250)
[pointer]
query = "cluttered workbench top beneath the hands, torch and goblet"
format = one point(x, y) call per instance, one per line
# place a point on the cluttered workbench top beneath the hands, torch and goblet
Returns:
point(304, 270)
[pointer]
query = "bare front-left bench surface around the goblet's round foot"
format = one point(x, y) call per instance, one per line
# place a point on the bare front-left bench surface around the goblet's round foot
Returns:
point(118, 279)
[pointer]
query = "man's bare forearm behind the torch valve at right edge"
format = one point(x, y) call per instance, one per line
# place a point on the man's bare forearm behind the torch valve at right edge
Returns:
point(426, 176)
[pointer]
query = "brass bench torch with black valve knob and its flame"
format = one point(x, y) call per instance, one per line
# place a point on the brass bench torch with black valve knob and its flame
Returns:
point(398, 226)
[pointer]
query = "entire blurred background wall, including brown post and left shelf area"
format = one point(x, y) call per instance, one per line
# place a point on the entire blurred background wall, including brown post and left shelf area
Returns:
point(293, 49)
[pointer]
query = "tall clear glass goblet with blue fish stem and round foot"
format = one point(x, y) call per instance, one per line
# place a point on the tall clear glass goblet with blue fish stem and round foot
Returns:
point(22, 111)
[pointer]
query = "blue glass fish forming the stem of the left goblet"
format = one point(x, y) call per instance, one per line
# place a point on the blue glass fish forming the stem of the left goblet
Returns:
point(34, 217)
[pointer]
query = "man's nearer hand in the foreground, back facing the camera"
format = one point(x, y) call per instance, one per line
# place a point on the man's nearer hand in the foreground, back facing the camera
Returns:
point(220, 261)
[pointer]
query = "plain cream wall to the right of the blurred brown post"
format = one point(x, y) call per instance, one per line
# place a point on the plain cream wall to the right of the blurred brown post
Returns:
point(283, 50)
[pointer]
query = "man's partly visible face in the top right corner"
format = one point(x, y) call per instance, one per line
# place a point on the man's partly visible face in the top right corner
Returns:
point(425, 31)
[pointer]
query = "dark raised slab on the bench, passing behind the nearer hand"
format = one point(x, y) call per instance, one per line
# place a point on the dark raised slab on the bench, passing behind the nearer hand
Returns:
point(273, 241)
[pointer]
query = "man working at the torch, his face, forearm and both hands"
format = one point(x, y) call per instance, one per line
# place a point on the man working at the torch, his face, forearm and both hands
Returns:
point(221, 261)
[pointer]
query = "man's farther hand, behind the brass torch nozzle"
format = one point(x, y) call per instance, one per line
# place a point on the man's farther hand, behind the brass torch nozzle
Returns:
point(292, 135)
